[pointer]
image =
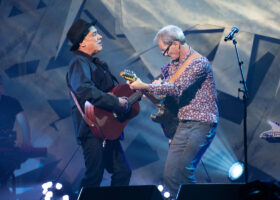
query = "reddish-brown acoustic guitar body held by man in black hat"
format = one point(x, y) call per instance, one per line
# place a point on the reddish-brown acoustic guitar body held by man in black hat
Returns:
point(104, 123)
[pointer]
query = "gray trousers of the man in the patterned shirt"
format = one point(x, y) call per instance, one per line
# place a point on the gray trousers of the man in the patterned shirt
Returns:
point(191, 140)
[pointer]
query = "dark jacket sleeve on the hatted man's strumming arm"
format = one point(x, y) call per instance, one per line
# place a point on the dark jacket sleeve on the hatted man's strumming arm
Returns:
point(84, 88)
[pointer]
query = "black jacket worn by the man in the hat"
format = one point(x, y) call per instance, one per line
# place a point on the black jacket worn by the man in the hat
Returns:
point(89, 81)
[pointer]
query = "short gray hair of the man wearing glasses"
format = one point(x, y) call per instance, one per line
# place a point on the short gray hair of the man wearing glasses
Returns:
point(169, 34)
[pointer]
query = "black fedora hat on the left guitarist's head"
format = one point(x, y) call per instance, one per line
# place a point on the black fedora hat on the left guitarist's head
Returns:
point(78, 32)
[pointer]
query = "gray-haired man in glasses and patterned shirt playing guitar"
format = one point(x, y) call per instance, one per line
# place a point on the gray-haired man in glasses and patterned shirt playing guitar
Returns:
point(189, 77)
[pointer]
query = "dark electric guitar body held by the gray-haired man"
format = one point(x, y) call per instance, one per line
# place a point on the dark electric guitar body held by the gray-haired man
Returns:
point(167, 116)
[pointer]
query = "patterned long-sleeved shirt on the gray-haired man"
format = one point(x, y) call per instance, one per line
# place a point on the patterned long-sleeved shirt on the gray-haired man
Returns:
point(195, 89)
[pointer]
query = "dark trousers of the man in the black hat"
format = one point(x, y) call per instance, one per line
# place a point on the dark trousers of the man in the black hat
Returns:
point(97, 158)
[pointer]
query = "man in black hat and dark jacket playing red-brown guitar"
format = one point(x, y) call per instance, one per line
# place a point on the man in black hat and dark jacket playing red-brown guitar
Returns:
point(90, 80)
